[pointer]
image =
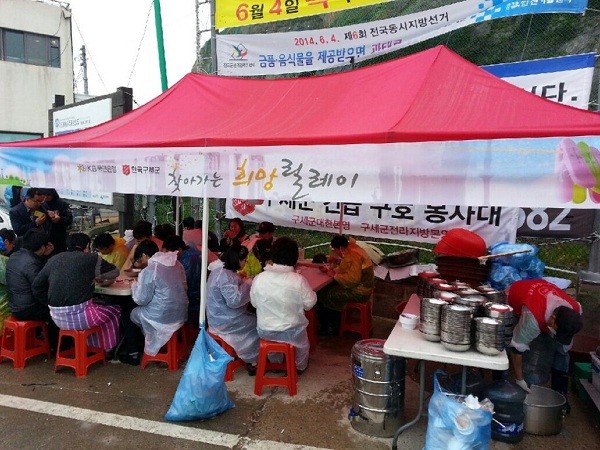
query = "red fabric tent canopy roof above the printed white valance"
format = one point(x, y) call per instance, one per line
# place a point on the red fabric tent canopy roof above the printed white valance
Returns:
point(434, 95)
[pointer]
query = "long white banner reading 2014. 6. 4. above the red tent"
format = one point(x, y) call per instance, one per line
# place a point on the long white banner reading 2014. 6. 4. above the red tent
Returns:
point(302, 51)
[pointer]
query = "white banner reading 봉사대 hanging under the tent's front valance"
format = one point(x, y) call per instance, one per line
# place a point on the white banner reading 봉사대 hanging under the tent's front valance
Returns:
point(415, 223)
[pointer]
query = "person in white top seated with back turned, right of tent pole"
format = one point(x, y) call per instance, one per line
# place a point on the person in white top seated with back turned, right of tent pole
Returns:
point(280, 296)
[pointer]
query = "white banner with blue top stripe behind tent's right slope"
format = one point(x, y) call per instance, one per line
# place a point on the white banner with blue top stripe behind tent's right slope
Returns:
point(566, 79)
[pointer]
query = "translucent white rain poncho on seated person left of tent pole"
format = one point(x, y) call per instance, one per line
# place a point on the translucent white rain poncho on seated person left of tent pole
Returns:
point(161, 292)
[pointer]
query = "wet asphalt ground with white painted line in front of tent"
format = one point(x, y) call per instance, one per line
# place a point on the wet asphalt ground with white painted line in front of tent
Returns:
point(122, 406)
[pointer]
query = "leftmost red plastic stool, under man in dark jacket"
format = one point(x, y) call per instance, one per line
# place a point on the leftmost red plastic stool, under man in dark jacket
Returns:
point(19, 341)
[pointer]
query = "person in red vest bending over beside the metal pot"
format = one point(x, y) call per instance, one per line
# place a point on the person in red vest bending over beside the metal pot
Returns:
point(548, 318)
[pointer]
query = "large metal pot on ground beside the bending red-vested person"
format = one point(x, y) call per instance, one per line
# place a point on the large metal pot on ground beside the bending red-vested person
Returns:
point(544, 411)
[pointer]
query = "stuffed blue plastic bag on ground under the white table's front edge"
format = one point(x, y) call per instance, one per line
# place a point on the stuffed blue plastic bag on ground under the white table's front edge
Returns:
point(452, 425)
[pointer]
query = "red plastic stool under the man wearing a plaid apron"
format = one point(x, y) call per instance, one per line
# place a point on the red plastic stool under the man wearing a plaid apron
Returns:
point(81, 356)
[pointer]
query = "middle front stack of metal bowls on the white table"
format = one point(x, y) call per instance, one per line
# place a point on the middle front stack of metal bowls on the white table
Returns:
point(456, 327)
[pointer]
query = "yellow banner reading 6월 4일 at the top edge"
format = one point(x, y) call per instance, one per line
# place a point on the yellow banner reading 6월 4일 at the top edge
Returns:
point(238, 13)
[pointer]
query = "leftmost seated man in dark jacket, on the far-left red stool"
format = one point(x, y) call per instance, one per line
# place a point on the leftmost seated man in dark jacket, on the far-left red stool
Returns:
point(21, 269)
